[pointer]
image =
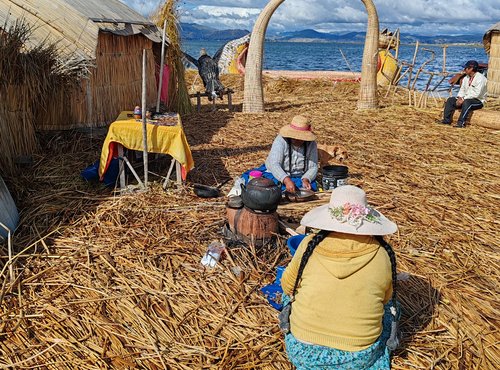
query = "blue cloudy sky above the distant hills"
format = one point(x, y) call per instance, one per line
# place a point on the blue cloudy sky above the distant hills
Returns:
point(418, 17)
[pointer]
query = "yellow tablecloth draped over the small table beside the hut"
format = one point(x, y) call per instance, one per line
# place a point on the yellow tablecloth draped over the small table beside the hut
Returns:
point(127, 131)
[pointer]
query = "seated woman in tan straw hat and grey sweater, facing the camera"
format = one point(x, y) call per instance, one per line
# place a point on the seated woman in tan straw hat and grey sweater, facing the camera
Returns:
point(292, 161)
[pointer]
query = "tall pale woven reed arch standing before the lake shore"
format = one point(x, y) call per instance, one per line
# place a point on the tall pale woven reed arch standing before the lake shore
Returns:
point(253, 101)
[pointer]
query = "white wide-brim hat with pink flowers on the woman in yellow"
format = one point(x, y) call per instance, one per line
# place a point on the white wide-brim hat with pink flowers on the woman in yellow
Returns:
point(348, 212)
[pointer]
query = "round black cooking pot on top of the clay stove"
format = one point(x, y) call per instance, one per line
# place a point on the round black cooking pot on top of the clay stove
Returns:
point(261, 194)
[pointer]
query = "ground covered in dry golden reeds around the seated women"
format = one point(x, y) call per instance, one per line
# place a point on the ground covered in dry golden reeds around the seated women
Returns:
point(116, 282)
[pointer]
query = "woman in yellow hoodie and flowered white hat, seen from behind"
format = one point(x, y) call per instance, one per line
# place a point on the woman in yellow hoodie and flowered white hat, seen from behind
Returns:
point(340, 282)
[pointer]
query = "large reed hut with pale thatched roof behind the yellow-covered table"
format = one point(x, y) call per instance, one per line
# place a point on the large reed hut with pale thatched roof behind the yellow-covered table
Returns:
point(105, 41)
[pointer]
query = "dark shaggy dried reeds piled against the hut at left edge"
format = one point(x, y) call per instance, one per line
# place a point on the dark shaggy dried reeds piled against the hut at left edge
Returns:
point(28, 78)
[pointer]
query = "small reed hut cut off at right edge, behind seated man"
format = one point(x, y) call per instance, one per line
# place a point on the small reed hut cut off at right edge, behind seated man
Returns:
point(491, 41)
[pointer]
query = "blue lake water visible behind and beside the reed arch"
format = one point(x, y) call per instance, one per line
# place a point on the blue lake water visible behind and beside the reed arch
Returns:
point(315, 56)
